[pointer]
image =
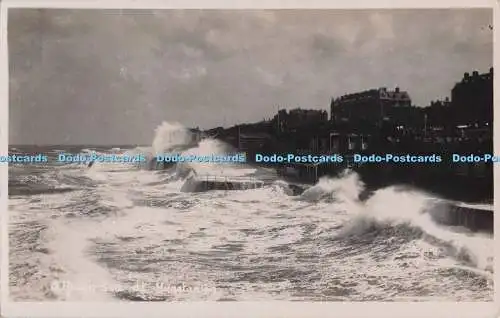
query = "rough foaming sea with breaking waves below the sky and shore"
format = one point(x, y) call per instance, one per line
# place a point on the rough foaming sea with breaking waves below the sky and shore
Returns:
point(125, 232)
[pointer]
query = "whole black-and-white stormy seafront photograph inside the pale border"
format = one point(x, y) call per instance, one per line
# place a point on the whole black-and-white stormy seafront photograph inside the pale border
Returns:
point(325, 155)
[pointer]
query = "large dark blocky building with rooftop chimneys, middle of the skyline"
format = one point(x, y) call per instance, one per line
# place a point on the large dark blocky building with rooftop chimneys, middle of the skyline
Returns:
point(369, 107)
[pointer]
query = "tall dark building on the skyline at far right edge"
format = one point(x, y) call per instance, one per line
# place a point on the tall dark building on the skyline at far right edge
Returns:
point(472, 99)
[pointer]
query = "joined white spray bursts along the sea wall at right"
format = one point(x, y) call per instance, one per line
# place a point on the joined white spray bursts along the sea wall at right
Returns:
point(410, 214)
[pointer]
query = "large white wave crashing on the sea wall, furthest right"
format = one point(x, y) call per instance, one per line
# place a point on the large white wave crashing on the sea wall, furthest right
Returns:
point(411, 214)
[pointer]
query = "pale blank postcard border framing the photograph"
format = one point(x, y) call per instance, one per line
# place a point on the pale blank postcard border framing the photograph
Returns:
point(233, 309)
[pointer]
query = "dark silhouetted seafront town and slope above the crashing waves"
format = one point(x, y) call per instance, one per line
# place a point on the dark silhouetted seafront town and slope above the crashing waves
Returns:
point(383, 120)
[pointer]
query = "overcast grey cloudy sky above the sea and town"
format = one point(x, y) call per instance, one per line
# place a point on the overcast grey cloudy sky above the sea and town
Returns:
point(110, 77)
